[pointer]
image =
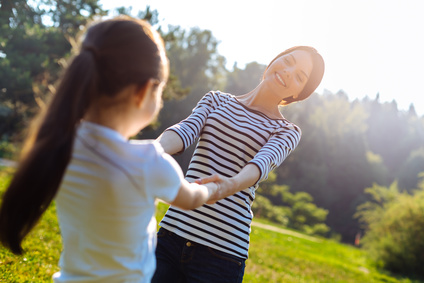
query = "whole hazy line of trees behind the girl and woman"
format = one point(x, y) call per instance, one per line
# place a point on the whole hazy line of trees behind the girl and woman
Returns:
point(346, 146)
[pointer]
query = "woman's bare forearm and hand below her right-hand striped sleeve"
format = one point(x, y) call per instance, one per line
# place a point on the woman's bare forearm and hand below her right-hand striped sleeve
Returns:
point(247, 177)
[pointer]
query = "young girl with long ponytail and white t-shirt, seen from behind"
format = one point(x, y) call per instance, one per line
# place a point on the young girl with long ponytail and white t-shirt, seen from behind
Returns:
point(105, 185)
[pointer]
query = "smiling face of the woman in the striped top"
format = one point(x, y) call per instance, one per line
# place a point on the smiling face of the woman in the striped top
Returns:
point(289, 74)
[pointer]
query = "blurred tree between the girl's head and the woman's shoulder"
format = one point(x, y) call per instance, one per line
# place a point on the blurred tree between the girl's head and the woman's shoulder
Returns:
point(198, 68)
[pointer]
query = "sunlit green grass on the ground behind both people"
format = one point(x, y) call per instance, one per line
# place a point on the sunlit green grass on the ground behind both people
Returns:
point(273, 256)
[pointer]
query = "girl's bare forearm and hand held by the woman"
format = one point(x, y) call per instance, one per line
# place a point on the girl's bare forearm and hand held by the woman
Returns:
point(192, 195)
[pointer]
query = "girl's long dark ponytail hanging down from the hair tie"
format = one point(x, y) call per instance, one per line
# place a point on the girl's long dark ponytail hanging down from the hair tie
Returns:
point(47, 153)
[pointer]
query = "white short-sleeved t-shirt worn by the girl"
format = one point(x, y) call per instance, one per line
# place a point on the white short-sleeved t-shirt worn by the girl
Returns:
point(106, 206)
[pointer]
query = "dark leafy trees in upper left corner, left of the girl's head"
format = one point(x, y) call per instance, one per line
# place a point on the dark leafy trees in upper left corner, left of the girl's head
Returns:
point(33, 54)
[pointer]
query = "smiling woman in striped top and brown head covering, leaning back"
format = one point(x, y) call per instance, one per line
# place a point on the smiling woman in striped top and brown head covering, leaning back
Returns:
point(241, 139)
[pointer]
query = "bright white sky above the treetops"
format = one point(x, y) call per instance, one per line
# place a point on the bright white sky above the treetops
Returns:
point(369, 46)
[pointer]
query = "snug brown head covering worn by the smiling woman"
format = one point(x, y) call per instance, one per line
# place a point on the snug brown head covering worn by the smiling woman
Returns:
point(315, 77)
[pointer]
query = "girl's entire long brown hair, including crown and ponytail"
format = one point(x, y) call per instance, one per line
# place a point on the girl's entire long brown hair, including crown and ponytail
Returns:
point(114, 54)
